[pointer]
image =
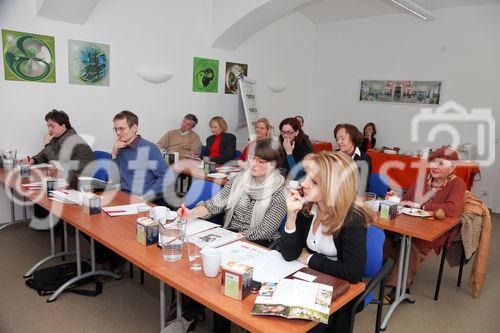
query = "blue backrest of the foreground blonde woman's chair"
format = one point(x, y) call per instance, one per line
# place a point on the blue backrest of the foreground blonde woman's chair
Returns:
point(375, 238)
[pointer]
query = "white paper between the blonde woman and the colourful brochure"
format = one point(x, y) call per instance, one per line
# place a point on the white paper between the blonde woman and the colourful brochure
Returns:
point(271, 267)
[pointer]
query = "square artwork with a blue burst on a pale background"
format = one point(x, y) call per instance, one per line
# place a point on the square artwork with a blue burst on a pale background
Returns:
point(88, 63)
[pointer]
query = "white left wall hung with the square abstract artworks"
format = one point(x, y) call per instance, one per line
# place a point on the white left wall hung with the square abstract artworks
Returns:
point(157, 35)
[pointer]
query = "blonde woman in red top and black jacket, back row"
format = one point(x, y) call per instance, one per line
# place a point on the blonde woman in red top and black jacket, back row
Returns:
point(221, 146)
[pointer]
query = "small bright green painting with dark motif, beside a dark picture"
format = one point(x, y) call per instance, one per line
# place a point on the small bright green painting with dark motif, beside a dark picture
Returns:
point(205, 75)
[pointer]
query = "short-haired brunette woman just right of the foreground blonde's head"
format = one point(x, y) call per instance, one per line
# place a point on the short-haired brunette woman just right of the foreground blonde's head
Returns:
point(348, 140)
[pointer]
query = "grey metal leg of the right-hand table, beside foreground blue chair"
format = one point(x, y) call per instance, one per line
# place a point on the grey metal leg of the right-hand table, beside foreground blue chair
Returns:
point(400, 295)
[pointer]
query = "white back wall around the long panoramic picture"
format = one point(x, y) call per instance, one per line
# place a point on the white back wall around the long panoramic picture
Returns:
point(460, 47)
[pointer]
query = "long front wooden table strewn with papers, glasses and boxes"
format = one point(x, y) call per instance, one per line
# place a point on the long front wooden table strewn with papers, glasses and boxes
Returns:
point(118, 234)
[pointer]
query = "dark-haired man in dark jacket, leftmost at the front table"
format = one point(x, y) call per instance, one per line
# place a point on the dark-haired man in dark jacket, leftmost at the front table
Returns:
point(64, 145)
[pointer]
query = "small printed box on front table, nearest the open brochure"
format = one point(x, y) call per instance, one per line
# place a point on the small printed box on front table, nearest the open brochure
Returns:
point(236, 280)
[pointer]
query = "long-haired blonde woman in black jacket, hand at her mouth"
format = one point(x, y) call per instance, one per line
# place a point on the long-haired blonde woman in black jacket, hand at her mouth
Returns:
point(326, 229)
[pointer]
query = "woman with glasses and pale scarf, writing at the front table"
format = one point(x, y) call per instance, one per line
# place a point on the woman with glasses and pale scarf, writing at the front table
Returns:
point(254, 203)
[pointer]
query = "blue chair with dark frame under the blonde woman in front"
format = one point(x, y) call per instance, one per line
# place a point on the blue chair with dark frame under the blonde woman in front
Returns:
point(377, 271)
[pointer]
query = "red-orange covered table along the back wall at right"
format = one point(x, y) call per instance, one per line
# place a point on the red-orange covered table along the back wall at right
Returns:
point(402, 171)
